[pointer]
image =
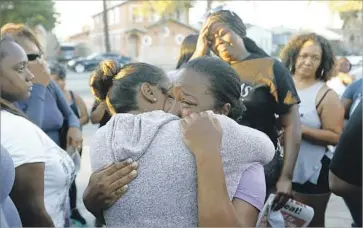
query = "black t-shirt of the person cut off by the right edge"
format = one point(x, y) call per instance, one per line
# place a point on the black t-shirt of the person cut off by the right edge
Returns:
point(347, 160)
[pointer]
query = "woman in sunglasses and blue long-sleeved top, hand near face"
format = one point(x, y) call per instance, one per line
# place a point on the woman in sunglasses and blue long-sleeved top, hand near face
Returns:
point(47, 106)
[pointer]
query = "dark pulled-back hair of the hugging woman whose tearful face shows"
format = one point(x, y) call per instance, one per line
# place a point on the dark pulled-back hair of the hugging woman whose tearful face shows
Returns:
point(225, 83)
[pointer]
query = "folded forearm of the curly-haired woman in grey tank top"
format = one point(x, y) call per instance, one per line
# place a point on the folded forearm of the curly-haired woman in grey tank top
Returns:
point(320, 136)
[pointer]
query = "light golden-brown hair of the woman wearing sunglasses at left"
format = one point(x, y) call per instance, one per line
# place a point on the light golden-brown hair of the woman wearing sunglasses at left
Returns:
point(21, 31)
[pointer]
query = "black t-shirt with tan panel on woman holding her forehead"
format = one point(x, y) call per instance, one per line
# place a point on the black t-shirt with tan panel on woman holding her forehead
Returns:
point(267, 91)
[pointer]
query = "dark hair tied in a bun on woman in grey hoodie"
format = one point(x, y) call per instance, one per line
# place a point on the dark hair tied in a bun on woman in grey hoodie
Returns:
point(118, 86)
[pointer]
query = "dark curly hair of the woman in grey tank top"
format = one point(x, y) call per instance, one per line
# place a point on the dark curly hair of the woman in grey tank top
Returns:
point(291, 51)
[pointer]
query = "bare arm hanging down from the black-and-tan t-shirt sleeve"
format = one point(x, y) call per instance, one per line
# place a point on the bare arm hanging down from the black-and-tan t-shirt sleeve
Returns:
point(292, 138)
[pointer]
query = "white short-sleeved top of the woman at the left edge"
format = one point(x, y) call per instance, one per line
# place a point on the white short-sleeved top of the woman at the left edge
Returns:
point(27, 143)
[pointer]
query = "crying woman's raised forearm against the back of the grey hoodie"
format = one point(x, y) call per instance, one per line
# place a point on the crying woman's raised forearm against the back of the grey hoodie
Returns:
point(215, 209)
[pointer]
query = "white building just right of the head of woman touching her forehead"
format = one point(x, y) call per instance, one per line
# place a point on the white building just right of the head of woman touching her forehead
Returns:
point(263, 37)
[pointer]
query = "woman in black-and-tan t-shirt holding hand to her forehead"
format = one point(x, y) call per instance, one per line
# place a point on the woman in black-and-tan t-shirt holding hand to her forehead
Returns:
point(267, 91)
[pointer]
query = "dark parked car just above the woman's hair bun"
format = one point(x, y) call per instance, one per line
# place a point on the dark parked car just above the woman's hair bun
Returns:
point(90, 63)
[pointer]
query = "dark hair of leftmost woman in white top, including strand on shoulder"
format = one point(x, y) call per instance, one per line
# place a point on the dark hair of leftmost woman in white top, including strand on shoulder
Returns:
point(4, 104)
